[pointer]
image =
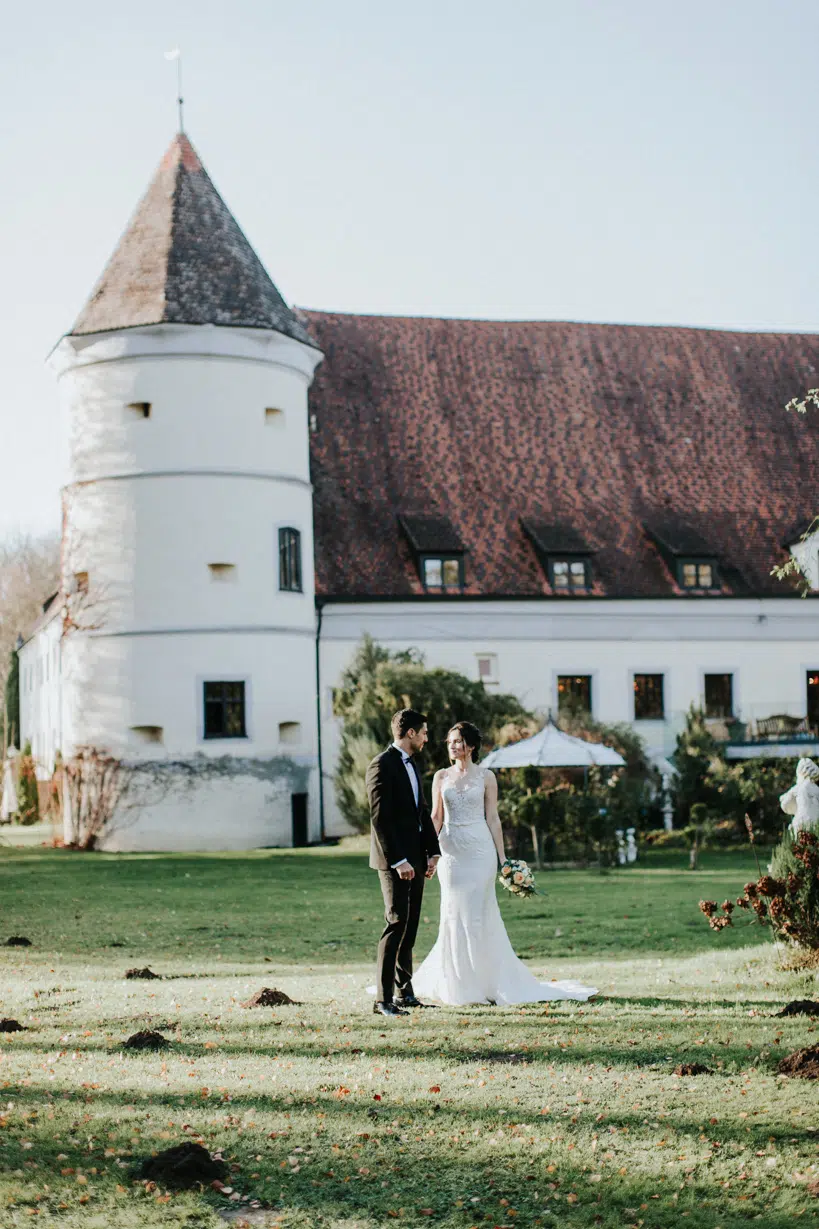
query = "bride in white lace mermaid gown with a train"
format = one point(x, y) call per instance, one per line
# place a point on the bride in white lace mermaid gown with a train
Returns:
point(473, 960)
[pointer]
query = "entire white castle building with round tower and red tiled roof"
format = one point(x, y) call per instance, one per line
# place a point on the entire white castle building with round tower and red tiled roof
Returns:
point(561, 511)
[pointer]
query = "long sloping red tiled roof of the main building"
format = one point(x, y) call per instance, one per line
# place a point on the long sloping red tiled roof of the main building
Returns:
point(612, 431)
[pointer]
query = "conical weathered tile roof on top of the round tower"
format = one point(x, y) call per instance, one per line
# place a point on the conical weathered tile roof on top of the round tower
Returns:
point(185, 261)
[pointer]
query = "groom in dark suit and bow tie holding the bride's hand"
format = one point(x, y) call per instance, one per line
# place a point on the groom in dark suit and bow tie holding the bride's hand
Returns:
point(405, 851)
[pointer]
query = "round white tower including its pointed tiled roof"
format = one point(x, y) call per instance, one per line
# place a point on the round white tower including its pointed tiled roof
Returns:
point(189, 645)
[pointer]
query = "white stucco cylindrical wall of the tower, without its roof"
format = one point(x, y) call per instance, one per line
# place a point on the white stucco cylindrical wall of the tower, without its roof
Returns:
point(208, 477)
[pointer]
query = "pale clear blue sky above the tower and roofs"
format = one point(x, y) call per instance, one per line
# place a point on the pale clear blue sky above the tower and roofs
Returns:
point(634, 162)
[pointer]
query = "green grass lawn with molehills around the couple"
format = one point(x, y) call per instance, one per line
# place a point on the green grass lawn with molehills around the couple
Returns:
point(564, 1115)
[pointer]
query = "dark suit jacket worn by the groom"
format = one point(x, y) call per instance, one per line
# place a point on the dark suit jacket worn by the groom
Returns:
point(399, 828)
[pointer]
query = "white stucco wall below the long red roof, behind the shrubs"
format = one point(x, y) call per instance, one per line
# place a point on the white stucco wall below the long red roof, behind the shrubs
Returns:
point(768, 646)
